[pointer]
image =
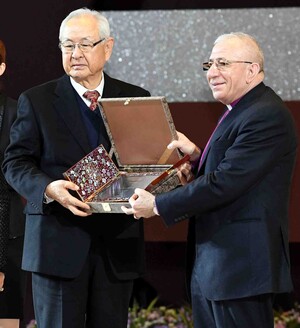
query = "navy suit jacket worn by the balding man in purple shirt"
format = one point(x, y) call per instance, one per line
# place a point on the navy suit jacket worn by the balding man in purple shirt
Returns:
point(240, 200)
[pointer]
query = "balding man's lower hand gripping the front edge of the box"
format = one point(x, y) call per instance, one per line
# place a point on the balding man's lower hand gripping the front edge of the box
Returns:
point(142, 204)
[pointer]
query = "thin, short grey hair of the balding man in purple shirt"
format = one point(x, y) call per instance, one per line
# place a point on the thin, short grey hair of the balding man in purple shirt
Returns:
point(258, 54)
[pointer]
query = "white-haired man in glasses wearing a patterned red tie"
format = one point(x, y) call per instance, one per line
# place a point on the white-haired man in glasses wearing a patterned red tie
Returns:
point(82, 265)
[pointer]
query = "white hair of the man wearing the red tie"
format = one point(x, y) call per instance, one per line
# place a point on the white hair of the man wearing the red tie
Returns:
point(103, 25)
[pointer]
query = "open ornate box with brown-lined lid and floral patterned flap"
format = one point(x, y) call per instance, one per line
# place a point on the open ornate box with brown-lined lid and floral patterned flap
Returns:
point(139, 130)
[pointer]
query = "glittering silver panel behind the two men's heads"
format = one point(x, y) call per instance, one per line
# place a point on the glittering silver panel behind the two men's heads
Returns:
point(163, 50)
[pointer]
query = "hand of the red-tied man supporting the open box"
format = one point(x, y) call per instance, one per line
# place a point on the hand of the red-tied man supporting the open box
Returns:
point(59, 191)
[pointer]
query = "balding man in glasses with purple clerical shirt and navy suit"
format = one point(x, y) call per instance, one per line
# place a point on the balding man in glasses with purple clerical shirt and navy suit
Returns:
point(237, 201)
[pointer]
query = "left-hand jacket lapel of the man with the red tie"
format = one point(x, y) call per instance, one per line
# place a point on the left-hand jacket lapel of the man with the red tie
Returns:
point(67, 107)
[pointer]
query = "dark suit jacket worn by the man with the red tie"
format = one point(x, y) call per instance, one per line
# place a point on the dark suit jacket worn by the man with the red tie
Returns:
point(48, 138)
